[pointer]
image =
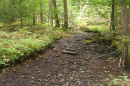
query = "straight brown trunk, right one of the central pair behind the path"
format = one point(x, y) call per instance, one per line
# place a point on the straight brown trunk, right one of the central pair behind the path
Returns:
point(65, 14)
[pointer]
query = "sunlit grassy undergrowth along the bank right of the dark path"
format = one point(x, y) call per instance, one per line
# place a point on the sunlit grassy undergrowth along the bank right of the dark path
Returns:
point(104, 29)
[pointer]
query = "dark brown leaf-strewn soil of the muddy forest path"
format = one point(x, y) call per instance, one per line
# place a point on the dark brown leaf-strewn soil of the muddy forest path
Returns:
point(71, 62)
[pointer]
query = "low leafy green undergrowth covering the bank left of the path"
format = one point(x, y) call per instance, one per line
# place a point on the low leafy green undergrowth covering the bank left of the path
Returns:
point(17, 45)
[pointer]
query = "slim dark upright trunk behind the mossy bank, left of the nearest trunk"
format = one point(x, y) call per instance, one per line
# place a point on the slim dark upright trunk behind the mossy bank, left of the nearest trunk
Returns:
point(112, 16)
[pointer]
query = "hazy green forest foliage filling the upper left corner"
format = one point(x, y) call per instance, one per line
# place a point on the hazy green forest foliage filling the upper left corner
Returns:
point(15, 10)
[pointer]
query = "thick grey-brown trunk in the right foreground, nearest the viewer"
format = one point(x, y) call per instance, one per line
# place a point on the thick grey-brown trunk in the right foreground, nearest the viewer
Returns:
point(124, 22)
